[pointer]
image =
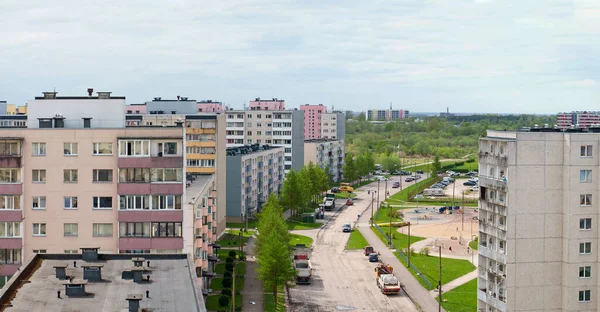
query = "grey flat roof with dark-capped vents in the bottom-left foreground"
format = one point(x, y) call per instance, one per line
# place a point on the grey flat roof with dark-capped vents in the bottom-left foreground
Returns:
point(173, 285)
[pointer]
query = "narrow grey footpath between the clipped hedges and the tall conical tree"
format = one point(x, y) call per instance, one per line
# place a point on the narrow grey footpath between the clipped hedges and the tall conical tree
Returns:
point(253, 287)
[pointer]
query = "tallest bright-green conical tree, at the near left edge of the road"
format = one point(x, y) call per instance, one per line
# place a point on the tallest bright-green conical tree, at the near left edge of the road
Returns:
point(272, 249)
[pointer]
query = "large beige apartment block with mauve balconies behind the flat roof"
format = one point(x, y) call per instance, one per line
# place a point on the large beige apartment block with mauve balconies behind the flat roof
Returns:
point(70, 179)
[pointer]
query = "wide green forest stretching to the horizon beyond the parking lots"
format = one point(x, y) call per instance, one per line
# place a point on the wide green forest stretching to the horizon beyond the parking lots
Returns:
point(449, 137)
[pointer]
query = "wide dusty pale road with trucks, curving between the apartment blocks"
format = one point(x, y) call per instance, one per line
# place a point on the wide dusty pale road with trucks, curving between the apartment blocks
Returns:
point(345, 280)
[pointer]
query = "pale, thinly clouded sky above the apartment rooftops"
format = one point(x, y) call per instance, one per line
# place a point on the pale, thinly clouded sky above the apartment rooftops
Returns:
point(424, 56)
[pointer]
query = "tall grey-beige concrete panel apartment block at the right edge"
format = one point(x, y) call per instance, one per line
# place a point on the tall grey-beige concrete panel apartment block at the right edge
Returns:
point(538, 245)
